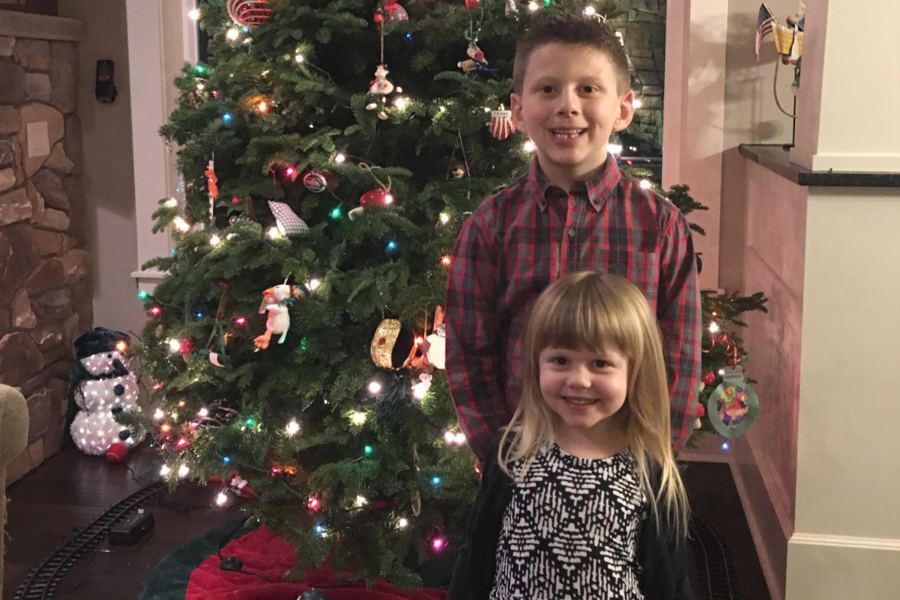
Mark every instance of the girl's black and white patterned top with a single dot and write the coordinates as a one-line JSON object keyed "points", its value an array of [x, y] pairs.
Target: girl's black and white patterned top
{"points": [[570, 531]]}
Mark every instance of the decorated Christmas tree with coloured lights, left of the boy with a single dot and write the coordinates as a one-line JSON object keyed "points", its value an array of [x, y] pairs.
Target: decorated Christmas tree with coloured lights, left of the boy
{"points": [[330, 152]]}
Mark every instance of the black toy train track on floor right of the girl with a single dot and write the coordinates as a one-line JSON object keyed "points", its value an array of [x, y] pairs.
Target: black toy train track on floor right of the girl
{"points": [[715, 569]]}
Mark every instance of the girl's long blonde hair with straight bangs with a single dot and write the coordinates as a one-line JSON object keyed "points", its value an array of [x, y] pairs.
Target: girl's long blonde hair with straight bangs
{"points": [[594, 311]]}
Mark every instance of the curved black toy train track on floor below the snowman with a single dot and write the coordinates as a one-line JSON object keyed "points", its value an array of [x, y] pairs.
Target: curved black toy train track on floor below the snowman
{"points": [[42, 581]]}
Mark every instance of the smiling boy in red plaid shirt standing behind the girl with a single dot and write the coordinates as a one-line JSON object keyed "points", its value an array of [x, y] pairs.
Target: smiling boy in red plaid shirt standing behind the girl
{"points": [[574, 210]]}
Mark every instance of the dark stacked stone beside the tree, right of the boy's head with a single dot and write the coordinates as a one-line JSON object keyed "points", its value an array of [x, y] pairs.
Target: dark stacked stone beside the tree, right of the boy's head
{"points": [[643, 28]]}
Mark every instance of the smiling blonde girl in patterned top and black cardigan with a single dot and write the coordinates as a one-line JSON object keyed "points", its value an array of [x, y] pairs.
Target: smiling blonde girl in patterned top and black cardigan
{"points": [[580, 496]]}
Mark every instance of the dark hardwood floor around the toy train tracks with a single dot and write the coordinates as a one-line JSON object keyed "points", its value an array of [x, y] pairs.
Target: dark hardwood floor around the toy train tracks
{"points": [[68, 491]]}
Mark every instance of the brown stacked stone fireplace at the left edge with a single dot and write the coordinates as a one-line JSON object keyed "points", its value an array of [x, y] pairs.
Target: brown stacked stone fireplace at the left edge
{"points": [[45, 295]]}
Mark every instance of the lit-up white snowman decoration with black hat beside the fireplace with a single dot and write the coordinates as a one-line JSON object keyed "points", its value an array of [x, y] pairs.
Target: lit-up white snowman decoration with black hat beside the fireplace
{"points": [[101, 387]]}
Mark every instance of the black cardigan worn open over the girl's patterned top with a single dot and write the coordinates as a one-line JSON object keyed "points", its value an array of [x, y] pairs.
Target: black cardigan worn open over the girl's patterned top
{"points": [[662, 556]]}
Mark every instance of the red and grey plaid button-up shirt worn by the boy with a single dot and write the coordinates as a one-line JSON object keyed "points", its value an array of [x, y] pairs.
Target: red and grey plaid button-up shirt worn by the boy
{"points": [[530, 234]]}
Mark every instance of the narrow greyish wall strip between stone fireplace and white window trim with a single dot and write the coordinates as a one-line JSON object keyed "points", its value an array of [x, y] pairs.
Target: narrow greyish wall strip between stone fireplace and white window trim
{"points": [[108, 165]]}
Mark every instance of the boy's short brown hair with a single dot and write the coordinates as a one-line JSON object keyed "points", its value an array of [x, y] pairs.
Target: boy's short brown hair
{"points": [[574, 30]]}
